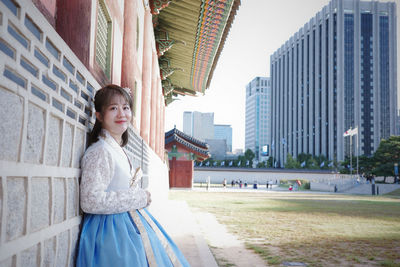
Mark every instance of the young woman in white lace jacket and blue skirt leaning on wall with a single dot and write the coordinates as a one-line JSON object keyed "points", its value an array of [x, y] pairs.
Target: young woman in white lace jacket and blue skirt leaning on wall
{"points": [[117, 229]]}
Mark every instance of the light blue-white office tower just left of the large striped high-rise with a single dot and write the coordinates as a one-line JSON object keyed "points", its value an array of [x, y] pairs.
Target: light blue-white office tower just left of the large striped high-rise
{"points": [[258, 116]]}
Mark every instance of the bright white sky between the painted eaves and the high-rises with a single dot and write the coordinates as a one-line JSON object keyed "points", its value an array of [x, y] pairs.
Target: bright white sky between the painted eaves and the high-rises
{"points": [[259, 29]]}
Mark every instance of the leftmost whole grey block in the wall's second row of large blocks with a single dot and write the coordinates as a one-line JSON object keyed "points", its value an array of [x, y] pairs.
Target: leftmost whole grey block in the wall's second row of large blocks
{"points": [[16, 207]]}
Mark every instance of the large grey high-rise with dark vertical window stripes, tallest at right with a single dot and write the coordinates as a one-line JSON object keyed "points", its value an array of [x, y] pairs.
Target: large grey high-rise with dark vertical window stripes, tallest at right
{"points": [[338, 71]]}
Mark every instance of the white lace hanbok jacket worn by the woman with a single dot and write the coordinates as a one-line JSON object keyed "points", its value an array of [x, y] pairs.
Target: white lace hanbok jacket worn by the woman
{"points": [[106, 177]]}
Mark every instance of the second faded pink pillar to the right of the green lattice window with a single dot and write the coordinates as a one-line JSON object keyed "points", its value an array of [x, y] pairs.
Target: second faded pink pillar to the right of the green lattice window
{"points": [[146, 77]]}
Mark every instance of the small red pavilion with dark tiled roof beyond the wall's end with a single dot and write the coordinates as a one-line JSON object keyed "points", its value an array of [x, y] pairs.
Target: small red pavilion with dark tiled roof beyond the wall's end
{"points": [[183, 150]]}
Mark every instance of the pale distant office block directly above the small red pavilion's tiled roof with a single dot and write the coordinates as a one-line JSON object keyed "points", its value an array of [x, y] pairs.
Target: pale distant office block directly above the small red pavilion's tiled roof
{"points": [[199, 125]]}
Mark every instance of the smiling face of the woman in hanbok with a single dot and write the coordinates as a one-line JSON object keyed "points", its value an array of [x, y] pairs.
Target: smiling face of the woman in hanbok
{"points": [[116, 117]]}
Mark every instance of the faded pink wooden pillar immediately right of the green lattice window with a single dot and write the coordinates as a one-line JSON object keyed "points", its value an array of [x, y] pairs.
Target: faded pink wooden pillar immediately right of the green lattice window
{"points": [[129, 50]]}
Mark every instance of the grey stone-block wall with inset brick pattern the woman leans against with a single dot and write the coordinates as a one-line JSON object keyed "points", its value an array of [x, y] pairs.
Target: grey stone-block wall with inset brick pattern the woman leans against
{"points": [[46, 112]]}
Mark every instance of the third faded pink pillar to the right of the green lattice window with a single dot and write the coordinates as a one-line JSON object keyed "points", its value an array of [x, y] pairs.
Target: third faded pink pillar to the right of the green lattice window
{"points": [[153, 102]]}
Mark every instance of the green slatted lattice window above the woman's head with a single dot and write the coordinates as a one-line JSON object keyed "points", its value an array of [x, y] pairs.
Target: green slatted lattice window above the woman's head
{"points": [[103, 38]]}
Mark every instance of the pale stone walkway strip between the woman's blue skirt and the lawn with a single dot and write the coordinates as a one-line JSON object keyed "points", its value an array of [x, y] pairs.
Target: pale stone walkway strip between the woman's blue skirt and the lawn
{"points": [[179, 222]]}
